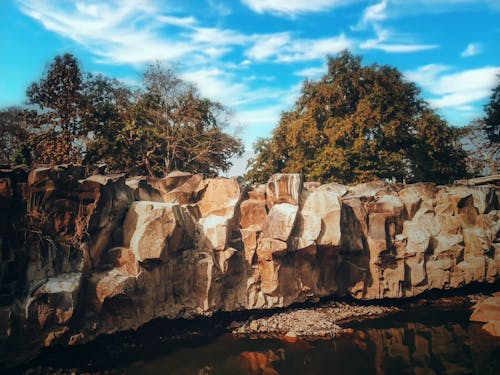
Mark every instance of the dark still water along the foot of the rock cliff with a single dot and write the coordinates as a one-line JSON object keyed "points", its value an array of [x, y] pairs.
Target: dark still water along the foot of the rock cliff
{"points": [[432, 342]]}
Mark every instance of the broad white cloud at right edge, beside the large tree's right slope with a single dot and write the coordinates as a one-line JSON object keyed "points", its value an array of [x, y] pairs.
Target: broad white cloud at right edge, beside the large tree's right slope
{"points": [[458, 90]]}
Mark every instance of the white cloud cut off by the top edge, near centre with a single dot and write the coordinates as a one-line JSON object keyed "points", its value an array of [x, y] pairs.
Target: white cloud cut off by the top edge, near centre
{"points": [[292, 7]]}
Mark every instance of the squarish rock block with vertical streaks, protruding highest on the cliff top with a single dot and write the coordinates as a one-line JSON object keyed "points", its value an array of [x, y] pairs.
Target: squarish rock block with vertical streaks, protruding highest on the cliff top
{"points": [[284, 188]]}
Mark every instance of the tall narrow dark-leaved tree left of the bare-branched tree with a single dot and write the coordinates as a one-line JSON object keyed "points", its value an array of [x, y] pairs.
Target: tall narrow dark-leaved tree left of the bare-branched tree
{"points": [[57, 105]]}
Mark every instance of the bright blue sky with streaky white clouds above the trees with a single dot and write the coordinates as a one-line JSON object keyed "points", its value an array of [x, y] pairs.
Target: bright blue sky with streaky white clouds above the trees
{"points": [[253, 55]]}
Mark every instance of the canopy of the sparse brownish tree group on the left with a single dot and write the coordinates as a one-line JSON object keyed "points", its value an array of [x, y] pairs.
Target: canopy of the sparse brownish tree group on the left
{"points": [[164, 124]]}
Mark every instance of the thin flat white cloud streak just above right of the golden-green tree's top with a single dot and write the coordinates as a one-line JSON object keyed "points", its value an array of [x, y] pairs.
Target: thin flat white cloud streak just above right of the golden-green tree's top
{"points": [[393, 43]]}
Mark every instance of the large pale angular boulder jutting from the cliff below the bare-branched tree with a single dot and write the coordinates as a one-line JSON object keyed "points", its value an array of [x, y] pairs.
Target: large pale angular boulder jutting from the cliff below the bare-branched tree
{"points": [[154, 230]]}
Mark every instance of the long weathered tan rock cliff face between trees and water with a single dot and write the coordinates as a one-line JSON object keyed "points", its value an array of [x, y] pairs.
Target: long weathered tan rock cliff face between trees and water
{"points": [[105, 254]]}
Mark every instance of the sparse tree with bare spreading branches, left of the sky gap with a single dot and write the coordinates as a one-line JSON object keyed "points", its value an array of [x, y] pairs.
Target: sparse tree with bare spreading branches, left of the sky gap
{"points": [[163, 127]]}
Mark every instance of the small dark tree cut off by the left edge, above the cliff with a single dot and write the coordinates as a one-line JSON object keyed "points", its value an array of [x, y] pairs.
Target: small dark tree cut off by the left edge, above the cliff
{"points": [[14, 132]]}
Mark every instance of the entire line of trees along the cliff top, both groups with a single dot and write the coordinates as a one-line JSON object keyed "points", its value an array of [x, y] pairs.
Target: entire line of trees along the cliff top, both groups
{"points": [[356, 123]]}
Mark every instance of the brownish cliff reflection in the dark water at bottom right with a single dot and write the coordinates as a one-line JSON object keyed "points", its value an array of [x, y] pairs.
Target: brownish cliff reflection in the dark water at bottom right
{"points": [[416, 348]]}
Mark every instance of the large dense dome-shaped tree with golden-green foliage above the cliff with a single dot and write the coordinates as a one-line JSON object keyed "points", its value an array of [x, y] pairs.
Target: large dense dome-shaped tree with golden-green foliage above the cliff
{"points": [[358, 123]]}
